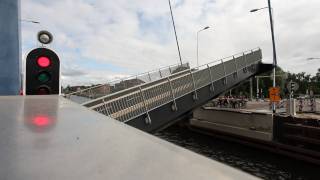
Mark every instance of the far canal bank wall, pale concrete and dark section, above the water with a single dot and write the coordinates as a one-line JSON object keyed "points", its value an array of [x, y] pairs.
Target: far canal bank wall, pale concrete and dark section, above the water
{"points": [[293, 136]]}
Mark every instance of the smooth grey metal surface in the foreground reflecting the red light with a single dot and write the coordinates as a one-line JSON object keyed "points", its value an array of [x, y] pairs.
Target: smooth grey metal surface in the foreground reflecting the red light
{"points": [[50, 137]]}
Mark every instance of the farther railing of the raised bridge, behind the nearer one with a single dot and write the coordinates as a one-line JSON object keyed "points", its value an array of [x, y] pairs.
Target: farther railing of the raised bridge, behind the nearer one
{"points": [[114, 86]]}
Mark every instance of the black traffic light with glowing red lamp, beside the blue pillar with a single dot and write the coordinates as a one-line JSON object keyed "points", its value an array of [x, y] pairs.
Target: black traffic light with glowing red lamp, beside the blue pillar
{"points": [[42, 72]]}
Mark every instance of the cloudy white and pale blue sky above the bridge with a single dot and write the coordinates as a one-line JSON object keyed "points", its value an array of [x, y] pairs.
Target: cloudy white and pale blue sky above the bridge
{"points": [[98, 40]]}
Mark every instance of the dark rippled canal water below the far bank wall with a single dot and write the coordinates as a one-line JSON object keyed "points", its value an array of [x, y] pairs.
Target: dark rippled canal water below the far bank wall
{"points": [[259, 163]]}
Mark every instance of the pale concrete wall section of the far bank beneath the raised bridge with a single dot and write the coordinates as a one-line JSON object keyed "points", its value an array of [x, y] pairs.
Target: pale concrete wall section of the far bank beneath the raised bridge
{"points": [[251, 124]]}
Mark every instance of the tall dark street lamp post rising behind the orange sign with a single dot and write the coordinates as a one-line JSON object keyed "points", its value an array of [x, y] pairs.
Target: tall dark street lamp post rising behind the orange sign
{"points": [[273, 46]]}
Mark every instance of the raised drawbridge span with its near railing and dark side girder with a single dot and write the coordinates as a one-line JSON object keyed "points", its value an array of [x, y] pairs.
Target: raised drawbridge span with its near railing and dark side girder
{"points": [[156, 104]]}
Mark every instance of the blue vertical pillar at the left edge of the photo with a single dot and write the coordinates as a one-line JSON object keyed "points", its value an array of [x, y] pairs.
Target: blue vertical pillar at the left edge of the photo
{"points": [[10, 59]]}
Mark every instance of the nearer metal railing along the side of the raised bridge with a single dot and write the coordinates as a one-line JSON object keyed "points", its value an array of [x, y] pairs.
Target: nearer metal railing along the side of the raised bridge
{"points": [[134, 102]]}
